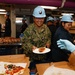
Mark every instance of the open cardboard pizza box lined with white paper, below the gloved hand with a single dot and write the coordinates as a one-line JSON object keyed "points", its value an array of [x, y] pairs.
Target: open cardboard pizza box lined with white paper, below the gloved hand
{"points": [[58, 68]]}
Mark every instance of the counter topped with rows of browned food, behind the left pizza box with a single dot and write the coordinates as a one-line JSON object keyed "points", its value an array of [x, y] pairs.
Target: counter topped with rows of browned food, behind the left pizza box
{"points": [[10, 45]]}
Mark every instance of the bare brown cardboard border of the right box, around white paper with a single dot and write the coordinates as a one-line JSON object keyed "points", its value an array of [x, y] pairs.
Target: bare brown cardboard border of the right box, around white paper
{"points": [[42, 67]]}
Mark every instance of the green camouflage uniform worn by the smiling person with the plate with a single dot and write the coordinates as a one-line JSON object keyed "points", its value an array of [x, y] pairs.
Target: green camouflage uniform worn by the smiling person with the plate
{"points": [[36, 37]]}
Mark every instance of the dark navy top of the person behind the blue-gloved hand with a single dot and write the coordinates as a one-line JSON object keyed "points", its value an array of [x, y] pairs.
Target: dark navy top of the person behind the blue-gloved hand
{"points": [[57, 53]]}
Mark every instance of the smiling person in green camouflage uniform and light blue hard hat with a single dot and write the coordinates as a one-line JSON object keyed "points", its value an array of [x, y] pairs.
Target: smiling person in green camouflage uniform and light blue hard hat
{"points": [[37, 35]]}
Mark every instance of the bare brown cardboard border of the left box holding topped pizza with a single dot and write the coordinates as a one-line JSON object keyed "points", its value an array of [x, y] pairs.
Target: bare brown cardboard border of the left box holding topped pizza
{"points": [[20, 58]]}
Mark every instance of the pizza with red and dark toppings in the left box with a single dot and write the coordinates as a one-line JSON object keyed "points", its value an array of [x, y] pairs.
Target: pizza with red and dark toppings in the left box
{"points": [[13, 69]]}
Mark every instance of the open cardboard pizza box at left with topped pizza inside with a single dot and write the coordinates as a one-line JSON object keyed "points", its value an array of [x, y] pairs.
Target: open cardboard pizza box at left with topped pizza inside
{"points": [[20, 63]]}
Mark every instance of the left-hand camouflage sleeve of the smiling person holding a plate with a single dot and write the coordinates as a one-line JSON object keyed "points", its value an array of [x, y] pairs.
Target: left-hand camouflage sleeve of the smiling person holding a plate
{"points": [[26, 40]]}
